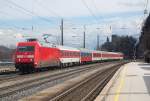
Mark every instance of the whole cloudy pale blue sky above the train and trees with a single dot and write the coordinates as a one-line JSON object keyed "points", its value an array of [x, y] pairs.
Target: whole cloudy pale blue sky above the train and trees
{"points": [[18, 16]]}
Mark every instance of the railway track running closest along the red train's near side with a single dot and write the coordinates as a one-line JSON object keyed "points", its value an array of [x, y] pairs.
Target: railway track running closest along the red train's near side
{"points": [[14, 76]]}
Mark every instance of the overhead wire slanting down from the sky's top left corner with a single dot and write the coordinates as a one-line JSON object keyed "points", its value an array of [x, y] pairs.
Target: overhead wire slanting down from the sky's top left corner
{"points": [[30, 12]]}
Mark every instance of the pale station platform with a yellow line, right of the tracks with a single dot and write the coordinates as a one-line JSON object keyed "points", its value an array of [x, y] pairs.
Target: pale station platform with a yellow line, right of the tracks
{"points": [[132, 83]]}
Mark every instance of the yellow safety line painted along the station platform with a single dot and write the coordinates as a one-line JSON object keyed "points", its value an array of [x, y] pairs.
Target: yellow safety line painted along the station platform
{"points": [[116, 98]]}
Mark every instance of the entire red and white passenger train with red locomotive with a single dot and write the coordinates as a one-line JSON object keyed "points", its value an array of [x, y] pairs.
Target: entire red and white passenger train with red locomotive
{"points": [[32, 55]]}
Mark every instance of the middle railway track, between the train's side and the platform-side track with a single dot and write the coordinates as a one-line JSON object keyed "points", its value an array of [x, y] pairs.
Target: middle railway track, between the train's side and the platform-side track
{"points": [[22, 86]]}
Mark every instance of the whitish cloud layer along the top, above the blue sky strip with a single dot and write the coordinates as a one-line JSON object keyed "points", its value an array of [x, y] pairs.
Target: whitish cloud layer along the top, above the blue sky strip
{"points": [[64, 8]]}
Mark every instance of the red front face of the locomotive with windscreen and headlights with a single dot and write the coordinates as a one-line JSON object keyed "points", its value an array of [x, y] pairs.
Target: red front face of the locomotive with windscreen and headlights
{"points": [[25, 56]]}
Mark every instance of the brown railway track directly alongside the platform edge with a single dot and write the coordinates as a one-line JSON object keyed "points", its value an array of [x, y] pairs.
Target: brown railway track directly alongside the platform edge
{"points": [[88, 89]]}
